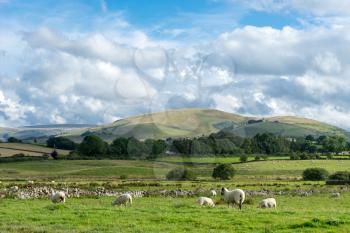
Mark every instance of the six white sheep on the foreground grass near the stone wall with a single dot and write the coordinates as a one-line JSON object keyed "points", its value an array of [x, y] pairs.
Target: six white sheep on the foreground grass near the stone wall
{"points": [[232, 197]]}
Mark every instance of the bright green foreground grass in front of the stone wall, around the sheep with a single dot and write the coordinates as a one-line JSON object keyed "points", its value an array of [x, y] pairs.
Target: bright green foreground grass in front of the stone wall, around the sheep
{"points": [[293, 214]]}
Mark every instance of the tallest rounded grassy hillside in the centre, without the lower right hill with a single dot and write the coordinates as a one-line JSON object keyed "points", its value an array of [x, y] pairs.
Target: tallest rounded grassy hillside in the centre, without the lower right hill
{"points": [[175, 123]]}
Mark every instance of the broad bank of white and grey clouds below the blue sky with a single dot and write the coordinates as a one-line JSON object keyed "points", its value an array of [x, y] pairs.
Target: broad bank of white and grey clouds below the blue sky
{"points": [[98, 77]]}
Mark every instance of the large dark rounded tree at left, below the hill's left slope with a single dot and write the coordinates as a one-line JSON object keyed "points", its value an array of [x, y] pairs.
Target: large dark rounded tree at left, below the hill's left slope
{"points": [[92, 146]]}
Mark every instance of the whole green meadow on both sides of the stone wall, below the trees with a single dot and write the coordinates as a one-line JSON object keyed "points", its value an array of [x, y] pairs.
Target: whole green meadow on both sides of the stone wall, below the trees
{"points": [[294, 213]]}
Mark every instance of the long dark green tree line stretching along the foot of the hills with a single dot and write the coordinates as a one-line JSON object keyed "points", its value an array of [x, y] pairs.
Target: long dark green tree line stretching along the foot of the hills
{"points": [[221, 143]]}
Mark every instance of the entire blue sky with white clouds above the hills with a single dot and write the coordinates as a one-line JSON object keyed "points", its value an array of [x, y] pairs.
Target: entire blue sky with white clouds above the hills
{"points": [[96, 61]]}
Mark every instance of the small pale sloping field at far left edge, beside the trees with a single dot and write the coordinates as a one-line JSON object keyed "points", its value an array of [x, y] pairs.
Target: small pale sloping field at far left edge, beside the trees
{"points": [[9, 149]]}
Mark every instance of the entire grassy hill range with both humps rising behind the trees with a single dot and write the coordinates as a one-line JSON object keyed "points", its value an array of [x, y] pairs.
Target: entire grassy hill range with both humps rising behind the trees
{"points": [[197, 122]]}
